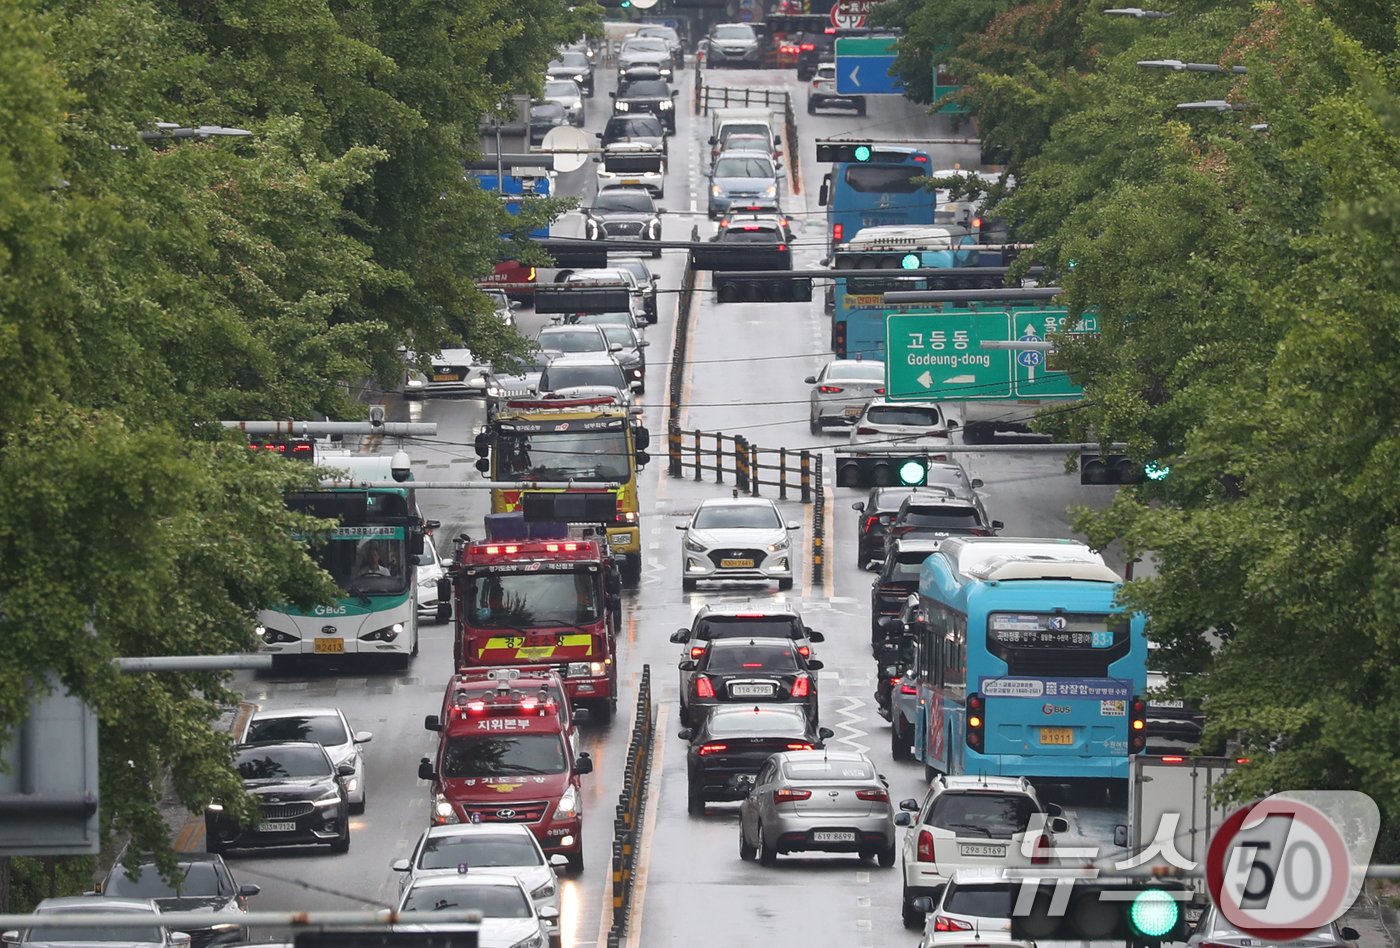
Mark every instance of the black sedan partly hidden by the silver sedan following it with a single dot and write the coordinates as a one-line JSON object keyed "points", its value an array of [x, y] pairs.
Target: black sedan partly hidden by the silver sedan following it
{"points": [[733, 743]]}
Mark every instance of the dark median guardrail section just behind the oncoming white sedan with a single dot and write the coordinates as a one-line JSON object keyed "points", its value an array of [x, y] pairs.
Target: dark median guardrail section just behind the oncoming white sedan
{"points": [[748, 466]]}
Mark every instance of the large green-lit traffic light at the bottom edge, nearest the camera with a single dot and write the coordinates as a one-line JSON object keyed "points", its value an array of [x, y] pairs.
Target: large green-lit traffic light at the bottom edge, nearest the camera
{"points": [[1143, 914]]}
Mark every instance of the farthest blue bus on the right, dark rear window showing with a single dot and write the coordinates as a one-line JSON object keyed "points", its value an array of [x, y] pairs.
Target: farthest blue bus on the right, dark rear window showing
{"points": [[884, 190]]}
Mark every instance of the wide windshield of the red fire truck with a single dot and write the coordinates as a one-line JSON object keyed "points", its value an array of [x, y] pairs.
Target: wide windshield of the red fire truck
{"points": [[533, 600]]}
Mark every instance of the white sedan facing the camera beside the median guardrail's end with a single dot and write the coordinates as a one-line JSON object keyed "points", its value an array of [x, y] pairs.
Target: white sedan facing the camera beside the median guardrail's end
{"points": [[741, 538]]}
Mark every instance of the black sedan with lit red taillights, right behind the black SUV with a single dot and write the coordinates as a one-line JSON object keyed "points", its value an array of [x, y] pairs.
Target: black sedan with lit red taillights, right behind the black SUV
{"points": [[747, 671]]}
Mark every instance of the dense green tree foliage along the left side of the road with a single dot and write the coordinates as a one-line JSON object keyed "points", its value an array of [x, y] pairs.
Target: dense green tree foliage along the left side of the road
{"points": [[148, 291]]}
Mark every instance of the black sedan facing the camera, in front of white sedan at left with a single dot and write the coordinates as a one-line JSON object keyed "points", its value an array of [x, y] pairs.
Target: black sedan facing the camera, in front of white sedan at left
{"points": [[300, 796]]}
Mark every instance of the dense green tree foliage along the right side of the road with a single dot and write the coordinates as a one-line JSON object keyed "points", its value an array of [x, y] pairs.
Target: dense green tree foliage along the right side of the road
{"points": [[1249, 316]]}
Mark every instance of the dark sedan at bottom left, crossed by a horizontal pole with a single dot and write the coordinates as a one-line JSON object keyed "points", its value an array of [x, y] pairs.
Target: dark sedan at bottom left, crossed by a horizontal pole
{"points": [[202, 884]]}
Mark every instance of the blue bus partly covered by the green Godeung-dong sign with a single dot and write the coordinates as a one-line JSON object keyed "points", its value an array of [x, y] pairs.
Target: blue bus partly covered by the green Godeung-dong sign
{"points": [[880, 256]]}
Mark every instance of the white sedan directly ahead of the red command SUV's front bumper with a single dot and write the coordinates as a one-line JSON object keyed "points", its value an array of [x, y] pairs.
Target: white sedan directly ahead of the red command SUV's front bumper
{"points": [[500, 848]]}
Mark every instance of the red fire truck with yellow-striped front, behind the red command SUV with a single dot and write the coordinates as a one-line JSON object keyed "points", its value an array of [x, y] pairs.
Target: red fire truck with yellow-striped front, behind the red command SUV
{"points": [[551, 603]]}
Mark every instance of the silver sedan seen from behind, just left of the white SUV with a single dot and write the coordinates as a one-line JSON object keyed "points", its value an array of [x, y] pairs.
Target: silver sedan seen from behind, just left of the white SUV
{"points": [[818, 802]]}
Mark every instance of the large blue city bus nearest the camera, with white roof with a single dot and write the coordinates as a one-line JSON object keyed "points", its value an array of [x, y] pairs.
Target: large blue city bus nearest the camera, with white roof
{"points": [[1025, 664]]}
